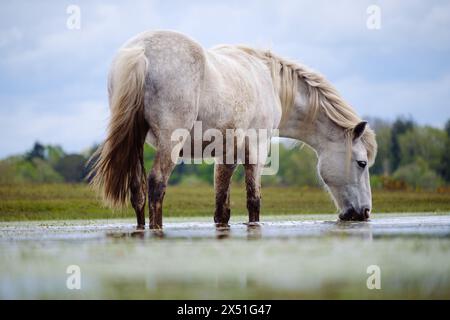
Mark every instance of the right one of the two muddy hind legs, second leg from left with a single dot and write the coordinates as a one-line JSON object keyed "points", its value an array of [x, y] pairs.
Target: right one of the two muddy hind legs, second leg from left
{"points": [[157, 182]]}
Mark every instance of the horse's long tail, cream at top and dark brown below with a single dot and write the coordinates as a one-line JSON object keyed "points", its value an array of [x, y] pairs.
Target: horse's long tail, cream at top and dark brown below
{"points": [[117, 161]]}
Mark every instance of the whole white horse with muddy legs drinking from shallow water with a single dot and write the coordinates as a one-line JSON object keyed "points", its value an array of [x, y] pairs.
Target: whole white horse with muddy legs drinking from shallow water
{"points": [[162, 81]]}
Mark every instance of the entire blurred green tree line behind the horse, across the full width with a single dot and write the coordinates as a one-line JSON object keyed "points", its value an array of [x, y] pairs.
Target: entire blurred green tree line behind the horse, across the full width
{"points": [[410, 156]]}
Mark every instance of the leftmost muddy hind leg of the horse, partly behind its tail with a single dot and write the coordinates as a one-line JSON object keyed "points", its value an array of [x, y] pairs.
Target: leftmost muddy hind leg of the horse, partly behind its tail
{"points": [[138, 195]]}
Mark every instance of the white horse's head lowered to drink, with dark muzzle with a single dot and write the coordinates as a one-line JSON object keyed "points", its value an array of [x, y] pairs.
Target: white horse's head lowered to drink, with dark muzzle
{"points": [[346, 174]]}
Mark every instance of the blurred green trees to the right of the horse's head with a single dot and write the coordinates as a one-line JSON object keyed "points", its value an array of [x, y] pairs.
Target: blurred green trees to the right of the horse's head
{"points": [[411, 156]]}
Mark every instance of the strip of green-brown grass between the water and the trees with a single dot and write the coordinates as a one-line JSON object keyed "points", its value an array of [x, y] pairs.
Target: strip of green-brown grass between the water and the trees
{"points": [[78, 201]]}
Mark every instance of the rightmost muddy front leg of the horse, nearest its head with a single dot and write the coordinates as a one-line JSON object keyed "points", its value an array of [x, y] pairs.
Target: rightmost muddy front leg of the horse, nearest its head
{"points": [[253, 186]]}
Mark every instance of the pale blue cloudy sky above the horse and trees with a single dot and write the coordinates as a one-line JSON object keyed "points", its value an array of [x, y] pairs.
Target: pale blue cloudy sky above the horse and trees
{"points": [[53, 78]]}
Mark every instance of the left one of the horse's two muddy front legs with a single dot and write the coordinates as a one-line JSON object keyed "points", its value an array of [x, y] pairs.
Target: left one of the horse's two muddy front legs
{"points": [[222, 178]]}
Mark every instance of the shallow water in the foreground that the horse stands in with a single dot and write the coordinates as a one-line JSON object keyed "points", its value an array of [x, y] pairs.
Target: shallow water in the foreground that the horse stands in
{"points": [[300, 256]]}
